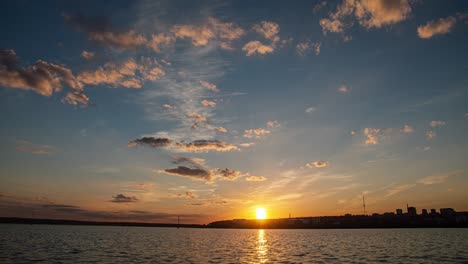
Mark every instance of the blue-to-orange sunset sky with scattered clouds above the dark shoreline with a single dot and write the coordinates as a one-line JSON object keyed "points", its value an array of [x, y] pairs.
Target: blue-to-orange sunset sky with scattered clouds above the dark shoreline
{"points": [[208, 110]]}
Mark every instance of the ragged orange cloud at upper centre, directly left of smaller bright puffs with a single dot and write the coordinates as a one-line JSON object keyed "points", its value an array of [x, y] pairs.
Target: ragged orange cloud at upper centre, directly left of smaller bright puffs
{"points": [[225, 33]]}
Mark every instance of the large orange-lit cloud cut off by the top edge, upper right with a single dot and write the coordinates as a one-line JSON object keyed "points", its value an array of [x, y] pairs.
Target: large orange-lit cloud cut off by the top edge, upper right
{"points": [[369, 14]]}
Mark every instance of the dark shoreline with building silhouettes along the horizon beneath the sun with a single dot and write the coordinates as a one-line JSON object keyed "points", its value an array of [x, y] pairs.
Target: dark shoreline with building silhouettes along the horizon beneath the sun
{"points": [[445, 219]]}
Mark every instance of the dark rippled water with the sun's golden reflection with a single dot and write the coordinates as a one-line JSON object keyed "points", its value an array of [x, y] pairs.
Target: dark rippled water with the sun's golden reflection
{"points": [[85, 244]]}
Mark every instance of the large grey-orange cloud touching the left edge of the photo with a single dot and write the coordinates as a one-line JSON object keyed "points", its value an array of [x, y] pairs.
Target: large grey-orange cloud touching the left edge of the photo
{"points": [[43, 78]]}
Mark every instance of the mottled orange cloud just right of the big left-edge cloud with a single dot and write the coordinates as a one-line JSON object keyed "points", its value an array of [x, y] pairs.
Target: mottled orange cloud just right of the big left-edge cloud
{"points": [[129, 73]]}
